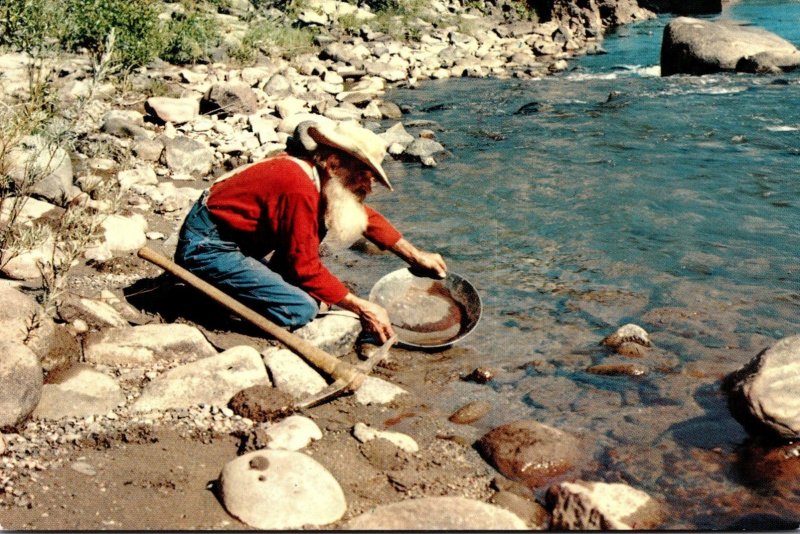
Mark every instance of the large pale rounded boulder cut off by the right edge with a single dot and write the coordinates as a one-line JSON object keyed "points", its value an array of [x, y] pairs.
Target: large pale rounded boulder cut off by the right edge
{"points": [[764, 395]]}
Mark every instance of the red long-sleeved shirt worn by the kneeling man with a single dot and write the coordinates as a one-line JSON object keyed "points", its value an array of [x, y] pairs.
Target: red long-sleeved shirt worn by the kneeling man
{"points": [[274, 206]]}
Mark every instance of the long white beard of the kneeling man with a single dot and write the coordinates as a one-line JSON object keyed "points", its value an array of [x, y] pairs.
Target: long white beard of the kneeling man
{"points": [[345, 217]]}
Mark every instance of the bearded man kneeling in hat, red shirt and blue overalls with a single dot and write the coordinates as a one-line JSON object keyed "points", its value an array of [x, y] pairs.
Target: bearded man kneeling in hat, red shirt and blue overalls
{"points": [[286, 205]]}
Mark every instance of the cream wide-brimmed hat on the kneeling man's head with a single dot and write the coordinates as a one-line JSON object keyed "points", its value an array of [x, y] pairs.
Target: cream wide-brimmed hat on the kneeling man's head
{"points": [[348, 137]]}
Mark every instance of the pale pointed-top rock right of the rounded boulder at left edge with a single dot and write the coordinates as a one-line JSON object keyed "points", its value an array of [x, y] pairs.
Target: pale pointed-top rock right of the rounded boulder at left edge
{"points": [[79, 392]]}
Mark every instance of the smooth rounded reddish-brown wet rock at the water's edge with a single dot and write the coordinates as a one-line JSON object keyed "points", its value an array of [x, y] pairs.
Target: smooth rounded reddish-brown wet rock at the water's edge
{"points": [[530, 451]]}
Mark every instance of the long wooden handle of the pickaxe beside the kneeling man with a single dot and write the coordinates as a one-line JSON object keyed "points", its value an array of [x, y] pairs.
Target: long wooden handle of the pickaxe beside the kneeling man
{"points": [[334, 367]]}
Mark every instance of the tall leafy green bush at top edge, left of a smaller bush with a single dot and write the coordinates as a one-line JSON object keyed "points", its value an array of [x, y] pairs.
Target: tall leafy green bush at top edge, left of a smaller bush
{"points": [[138, 31]]}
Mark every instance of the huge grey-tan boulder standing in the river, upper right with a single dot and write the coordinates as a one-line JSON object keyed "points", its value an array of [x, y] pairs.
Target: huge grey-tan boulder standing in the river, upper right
{"points": [[694, 46]]}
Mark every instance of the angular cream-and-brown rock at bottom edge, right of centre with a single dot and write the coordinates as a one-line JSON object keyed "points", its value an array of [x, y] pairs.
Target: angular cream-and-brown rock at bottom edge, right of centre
{"points": [[599, 506]]}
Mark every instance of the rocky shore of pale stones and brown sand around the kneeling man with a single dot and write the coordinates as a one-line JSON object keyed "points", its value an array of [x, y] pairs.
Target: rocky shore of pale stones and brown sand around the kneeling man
{"points": [[134, 405]]}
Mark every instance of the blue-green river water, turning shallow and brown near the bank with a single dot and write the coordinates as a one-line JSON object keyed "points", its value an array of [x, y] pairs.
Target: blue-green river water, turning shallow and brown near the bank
{"points": [[607, 195]]}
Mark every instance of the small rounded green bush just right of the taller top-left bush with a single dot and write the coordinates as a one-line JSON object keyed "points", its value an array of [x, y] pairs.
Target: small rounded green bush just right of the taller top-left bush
{"points": [[190, 37]]}
